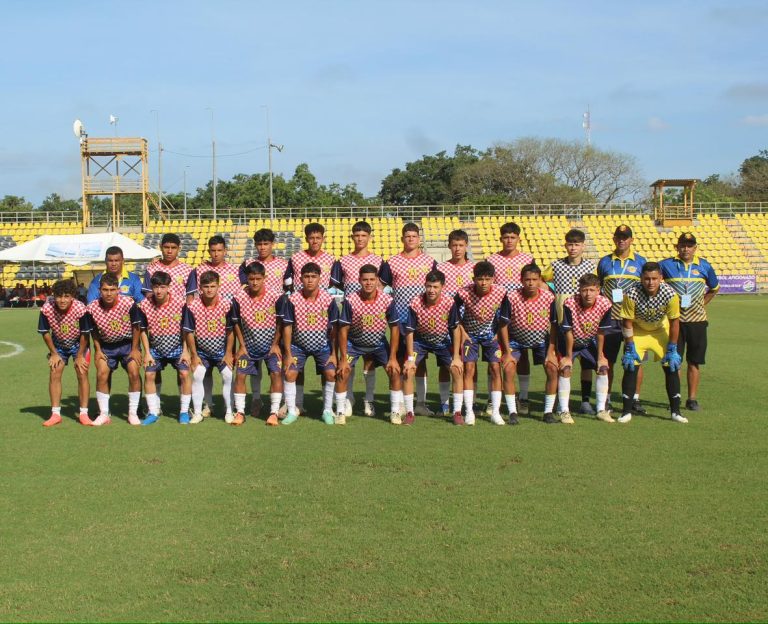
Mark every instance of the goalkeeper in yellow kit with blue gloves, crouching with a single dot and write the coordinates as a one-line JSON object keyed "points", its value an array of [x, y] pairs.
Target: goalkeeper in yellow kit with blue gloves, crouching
{"points": [[651, 323]]}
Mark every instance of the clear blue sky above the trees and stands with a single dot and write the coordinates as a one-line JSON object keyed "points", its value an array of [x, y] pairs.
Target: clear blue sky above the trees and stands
{"points": [[356, 88]]}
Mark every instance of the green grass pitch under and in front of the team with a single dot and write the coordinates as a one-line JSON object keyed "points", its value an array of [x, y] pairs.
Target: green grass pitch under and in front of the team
{"points": [[646, 521]]}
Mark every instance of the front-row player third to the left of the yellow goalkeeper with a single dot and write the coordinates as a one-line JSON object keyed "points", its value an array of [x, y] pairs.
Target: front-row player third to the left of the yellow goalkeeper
{"points": [[480, 302]]}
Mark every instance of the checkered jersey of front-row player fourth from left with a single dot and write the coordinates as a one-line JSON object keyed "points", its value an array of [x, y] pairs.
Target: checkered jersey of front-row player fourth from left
{"points": [[210, 324]]}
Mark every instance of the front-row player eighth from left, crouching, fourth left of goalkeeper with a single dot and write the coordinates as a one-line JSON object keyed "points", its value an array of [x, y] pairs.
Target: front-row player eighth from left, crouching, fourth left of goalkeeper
{"points": [[431, 326]]}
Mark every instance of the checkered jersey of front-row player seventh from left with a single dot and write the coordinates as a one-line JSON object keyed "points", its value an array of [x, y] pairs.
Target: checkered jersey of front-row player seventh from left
{"points": [[368, 320]]}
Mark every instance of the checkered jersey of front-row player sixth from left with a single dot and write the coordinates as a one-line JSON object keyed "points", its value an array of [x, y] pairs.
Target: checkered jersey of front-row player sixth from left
{"points": [[311, 320]]}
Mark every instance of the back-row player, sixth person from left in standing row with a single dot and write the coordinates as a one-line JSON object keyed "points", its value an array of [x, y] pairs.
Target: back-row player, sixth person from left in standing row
{"points": [[345, 275]]}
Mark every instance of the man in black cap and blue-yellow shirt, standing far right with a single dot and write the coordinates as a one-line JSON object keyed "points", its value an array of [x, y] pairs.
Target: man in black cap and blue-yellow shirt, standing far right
{"points": [[695, 282]]}
